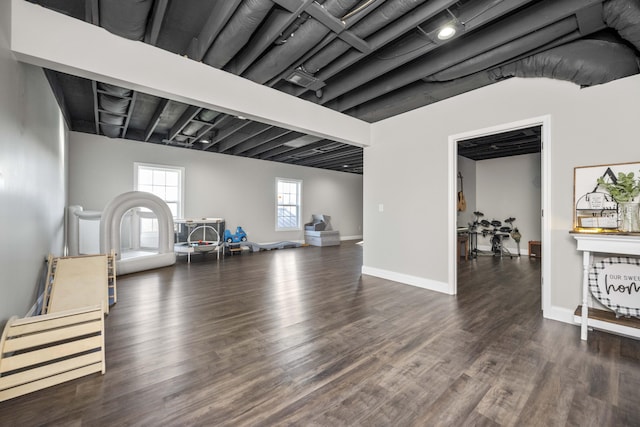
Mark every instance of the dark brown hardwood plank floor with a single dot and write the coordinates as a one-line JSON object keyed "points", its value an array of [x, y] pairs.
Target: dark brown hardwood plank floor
{"points": [[299, 337]]}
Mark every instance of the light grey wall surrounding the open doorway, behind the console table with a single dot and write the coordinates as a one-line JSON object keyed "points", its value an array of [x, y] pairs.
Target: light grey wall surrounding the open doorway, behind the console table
{"points": [[588, 126]]}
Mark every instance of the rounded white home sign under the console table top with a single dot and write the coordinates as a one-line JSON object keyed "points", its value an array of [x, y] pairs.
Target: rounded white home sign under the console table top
{"points": [[615, 282]]}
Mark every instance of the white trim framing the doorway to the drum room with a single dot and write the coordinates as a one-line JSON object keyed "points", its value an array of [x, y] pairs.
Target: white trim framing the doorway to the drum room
{"points": [[545, 122]]}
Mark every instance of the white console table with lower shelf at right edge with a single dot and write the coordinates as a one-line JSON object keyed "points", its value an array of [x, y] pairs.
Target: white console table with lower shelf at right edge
{"points": [[606, 243]]}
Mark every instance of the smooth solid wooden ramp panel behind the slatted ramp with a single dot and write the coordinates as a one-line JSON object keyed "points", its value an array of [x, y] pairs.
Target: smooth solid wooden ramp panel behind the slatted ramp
{"points": [[80, 281]]}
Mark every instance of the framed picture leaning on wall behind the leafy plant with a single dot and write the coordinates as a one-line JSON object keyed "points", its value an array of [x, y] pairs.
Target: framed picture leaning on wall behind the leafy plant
{"points": [[594, 208]]}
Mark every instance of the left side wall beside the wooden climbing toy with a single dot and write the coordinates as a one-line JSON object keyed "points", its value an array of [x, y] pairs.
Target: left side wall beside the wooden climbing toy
{"points": [[32, 178]]}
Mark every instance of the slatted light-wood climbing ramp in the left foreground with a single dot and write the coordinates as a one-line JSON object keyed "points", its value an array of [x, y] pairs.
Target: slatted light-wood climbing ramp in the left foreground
{"points": [[42, 351]]}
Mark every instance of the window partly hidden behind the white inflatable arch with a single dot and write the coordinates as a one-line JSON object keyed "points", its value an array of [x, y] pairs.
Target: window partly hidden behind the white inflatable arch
{"points": [[166, 183]]}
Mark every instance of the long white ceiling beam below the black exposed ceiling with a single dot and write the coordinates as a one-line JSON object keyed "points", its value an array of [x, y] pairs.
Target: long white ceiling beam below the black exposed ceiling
{"points": [[52, 40]]}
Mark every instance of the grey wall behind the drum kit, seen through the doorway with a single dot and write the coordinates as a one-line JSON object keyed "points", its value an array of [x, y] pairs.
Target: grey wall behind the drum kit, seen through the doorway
{"points": [[510, 187]]}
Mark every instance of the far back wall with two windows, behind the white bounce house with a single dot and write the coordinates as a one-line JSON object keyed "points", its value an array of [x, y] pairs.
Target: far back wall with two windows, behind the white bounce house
{"points": [[240, 190]]}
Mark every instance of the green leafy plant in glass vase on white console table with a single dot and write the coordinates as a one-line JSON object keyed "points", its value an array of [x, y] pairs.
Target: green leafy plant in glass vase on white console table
{"points": [[625, 190]]}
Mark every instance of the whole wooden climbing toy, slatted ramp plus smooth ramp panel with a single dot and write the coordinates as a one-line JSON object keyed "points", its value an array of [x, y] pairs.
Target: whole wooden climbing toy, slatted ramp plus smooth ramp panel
{"points": [[66, 341]]}
